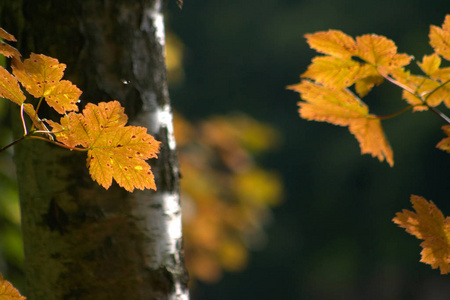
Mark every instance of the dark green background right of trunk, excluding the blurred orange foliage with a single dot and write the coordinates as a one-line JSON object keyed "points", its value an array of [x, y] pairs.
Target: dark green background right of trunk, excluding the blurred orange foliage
{"points": [[333, 237]]}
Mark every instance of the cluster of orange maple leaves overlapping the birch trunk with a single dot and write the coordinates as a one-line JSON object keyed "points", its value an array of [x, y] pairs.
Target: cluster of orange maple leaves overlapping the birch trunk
{"points": [[115, 150]]}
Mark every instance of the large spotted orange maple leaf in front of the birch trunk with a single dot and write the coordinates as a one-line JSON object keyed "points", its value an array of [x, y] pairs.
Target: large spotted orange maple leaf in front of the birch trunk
{"points": [[115, 151]]}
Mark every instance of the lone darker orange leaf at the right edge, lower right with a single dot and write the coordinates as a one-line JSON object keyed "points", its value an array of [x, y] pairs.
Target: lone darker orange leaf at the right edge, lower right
{"points": [[428, 224]]}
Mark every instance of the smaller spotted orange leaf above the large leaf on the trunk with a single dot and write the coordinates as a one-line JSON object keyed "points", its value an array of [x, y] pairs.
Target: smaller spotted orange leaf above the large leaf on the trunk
{"points": [[41, 76]]}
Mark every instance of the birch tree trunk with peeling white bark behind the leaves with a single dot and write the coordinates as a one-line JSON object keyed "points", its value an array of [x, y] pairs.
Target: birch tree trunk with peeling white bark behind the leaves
{"points": [[81, 241]]}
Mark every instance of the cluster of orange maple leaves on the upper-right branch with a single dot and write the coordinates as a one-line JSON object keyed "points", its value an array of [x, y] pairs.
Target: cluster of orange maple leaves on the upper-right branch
{"points": [[334, 83]]}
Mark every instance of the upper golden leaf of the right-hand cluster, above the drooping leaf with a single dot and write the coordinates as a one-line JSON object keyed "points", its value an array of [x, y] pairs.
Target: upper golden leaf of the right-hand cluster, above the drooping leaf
{"points": [[363, 62]]}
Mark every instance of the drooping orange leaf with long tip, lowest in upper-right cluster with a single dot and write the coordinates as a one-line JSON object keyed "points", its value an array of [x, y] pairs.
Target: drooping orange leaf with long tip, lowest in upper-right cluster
{"points": [[341, 107]]}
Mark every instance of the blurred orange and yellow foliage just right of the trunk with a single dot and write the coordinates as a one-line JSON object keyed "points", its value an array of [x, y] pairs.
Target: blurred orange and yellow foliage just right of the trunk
{"points": [[226, 196]]}
